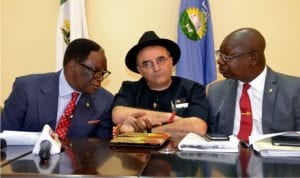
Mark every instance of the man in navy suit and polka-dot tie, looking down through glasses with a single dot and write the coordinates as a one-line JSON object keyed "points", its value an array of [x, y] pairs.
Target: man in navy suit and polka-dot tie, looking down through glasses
{"points": [[41, 99]]}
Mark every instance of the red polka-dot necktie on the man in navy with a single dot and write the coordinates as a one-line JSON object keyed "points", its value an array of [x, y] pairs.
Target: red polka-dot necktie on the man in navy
{"points": [[65, 119]]}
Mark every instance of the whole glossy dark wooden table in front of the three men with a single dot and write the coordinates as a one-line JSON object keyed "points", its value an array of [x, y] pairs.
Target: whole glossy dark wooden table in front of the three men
{"points": [[91, 157]]}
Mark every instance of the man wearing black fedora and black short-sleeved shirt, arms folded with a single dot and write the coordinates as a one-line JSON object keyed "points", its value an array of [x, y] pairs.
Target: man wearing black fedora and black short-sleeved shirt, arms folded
{"points": [[159, 102]]}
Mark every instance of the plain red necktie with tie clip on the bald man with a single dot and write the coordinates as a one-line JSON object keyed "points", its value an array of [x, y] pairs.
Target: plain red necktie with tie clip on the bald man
{"points": [[246, 115]]}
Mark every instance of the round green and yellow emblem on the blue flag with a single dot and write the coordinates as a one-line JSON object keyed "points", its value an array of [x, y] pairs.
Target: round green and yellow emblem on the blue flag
{"points": [[193, 23]]}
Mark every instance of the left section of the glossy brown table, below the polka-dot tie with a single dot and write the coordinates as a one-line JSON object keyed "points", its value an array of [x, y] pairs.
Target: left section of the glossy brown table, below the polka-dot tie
{"points": [[89, 156]]}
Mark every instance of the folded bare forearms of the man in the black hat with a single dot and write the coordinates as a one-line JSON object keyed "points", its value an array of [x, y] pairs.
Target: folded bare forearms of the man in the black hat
{"points": [[136, 120]]}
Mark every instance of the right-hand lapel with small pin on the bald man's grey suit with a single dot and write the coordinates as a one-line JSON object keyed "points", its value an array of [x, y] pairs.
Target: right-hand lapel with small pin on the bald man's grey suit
{"points": [[270, 91]]}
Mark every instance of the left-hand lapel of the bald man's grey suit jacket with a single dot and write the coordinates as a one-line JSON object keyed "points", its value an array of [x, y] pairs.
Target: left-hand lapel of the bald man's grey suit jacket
{"points": [[228, 106]]}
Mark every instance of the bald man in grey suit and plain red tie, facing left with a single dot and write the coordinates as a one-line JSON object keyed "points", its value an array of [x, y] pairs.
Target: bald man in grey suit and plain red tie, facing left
{"points": [[275, 97]]}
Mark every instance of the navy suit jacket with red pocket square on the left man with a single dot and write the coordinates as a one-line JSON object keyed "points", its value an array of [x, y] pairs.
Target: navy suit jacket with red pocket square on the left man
{"points": [[33, 103]]}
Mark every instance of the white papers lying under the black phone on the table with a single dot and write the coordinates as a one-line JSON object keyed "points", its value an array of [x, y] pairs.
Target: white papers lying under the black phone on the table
{"points": [[194, 142]]}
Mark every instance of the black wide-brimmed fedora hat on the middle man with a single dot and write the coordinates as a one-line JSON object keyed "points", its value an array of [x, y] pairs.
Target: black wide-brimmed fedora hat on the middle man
{"points": [[149, 38]]}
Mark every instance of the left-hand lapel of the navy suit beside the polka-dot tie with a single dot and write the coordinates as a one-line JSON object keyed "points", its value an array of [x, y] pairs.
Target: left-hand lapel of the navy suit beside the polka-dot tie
{"points": [[48, 100]]}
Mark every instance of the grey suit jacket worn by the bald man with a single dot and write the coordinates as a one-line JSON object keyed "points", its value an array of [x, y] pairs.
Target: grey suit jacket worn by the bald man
{"points": [[281, 104]]}
